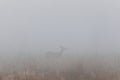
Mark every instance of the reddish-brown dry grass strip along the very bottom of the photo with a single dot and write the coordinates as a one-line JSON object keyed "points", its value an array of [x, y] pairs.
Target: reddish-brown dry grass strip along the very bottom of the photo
{"points": [[99, 74]]}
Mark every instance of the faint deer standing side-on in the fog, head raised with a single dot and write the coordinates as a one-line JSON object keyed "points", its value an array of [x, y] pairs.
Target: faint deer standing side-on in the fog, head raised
{"points": [[51, 54]]}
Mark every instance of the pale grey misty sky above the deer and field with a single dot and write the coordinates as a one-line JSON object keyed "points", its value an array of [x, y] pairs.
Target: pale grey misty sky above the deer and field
{"points": [[80, 25]]}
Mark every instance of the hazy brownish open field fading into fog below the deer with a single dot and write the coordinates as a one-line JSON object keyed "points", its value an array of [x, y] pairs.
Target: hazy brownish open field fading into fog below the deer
{"points": [[61, 69]]}
